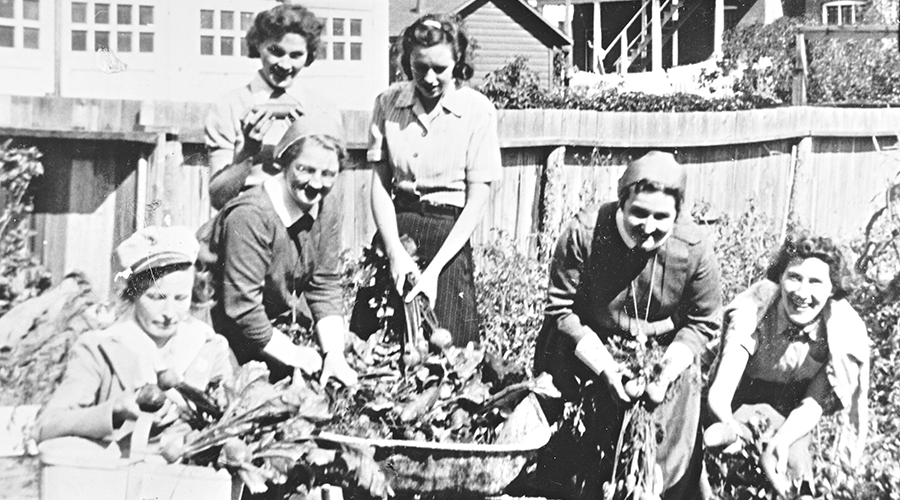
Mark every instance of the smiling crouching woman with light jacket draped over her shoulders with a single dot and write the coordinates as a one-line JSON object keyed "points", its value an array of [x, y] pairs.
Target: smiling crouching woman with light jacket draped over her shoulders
{"points": [[793, 351]]}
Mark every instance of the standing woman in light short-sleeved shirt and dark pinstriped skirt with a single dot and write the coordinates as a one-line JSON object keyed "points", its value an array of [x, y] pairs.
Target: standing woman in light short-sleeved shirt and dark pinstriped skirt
{"points": [[434, 151]]}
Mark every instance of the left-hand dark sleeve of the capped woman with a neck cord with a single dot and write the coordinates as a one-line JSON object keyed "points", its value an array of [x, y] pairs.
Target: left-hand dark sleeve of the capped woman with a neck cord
{"points": [[565, 278]]}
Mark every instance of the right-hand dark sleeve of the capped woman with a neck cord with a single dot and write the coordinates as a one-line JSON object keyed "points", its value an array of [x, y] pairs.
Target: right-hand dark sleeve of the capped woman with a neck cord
{"points": [[701, 303]]}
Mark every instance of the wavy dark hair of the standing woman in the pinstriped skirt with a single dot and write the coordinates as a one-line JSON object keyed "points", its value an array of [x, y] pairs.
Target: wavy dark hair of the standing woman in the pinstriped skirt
{"points": [[431, 30]]}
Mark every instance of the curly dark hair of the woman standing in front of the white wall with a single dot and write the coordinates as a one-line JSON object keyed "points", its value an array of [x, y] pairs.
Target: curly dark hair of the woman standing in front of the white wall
{"points": [[280, 20]]}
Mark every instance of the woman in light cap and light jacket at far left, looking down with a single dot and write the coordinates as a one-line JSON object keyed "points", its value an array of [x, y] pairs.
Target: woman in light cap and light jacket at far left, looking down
{"points": [[155, 334]]}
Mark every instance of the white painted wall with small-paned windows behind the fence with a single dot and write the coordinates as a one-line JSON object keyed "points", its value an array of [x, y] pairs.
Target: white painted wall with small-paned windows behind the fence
{"points": [[175, 70]]}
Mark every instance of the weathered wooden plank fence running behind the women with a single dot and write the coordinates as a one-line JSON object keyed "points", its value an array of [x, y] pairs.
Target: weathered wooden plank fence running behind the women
{"points": [[116, 165]]}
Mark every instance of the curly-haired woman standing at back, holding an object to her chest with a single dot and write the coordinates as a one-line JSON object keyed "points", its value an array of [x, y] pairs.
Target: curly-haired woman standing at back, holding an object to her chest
{"points": [[244, 126]]}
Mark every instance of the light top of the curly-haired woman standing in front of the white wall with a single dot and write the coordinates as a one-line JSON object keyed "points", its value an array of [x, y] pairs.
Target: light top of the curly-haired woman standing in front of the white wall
{"points": [[224, 134]]}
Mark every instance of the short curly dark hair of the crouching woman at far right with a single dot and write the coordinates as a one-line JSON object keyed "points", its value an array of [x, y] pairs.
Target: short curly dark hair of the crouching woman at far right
{"points": [[805, 246]]}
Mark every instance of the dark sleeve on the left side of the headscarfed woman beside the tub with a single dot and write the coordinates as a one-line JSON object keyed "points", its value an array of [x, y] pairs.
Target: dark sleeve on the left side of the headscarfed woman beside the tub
{"points": [[246, 257]]}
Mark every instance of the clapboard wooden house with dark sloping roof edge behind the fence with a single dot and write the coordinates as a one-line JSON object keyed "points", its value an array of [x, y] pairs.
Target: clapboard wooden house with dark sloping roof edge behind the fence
{"points": [[500, 30]]}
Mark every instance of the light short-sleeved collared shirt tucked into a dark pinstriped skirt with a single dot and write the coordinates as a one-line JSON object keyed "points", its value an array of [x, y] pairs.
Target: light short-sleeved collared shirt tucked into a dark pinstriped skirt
{"points": [[434, 155]]}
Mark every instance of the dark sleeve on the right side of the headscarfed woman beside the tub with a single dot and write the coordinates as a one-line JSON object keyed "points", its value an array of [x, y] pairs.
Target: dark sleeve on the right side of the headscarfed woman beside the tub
{"points": [[323, 292]]}
